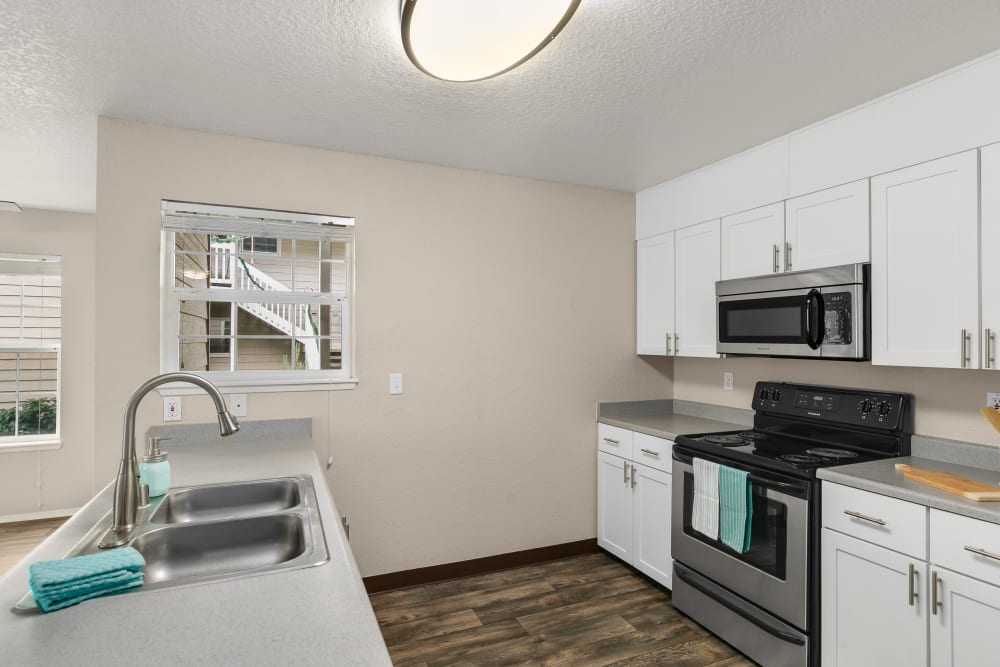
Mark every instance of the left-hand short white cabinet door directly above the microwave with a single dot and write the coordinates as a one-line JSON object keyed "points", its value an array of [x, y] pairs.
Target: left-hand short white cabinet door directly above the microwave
{"points": [[753, 242]]}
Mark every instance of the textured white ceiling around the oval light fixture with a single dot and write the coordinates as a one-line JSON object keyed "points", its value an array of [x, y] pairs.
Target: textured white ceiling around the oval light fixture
{"points": [[632, 92]]}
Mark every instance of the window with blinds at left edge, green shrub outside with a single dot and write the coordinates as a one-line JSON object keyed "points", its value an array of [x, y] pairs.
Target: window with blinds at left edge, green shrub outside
{"points": [[30, 344]]}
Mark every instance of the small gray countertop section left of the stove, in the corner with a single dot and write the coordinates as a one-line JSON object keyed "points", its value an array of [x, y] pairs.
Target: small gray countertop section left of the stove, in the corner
{"points": [[668, 418]]}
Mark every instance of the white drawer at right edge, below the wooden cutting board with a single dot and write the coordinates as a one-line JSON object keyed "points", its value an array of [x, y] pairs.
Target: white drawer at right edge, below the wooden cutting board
{"points": [[955, 535]]}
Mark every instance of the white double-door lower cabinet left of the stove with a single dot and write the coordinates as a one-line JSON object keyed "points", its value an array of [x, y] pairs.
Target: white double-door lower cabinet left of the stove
{"points": [[633, 507]]}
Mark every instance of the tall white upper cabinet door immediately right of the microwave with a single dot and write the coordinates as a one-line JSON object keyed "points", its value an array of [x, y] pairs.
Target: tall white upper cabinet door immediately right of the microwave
{"points": [[925, 269]]}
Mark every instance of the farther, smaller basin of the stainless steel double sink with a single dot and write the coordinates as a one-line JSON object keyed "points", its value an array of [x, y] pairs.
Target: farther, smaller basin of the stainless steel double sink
{"points": [[219, 501]]}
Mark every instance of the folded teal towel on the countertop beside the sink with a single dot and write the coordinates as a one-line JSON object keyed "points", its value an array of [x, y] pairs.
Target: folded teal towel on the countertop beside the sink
{"points": [[62, 583]]}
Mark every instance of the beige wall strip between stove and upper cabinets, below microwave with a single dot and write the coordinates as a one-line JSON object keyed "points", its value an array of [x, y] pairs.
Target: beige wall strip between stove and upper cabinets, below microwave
{"points": [[947, 401]]}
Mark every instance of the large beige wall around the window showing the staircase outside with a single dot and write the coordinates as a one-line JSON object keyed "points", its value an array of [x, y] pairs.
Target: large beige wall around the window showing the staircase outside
{"points": [[507, 303]]}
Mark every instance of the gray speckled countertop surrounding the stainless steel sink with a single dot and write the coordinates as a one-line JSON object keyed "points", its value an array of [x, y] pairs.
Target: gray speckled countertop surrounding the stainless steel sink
{"points": [[314, 616]]}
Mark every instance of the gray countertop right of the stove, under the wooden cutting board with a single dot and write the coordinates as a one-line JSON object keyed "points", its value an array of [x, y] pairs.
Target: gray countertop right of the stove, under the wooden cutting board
{"points": [[882, 477]]}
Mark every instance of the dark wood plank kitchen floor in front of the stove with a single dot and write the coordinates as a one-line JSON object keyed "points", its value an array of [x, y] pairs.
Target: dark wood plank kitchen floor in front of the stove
{"points": [[588, 610]]}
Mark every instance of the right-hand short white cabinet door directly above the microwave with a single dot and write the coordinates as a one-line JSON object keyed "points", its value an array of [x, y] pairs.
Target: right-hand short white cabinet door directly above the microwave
{"points": [[827, 228]]}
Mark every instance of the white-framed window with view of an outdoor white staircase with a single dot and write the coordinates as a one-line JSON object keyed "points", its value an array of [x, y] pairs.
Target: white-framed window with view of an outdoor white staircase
{"points": [[263, 294]]}
